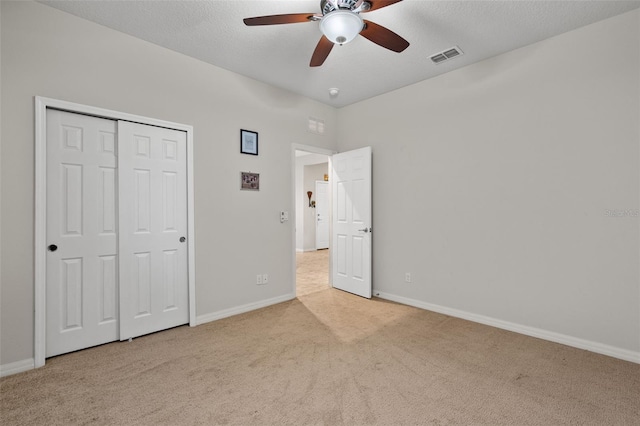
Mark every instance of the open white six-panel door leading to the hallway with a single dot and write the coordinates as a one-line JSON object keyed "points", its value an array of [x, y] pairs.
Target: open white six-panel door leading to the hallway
{"points": [[351, 220]]}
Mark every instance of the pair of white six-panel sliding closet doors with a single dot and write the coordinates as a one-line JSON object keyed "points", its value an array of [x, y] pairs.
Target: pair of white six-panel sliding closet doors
{"points": [[116, 228]]}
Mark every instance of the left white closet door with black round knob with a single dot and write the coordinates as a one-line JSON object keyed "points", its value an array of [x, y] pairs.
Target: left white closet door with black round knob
{"points": [[81, 280]]}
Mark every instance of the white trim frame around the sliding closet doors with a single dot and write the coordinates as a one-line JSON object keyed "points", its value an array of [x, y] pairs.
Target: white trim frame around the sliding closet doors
{"points": [[41, 105]]}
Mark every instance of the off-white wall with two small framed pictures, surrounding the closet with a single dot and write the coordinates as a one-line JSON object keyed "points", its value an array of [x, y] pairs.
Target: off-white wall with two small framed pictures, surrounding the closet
{"points": [[238, 233]]}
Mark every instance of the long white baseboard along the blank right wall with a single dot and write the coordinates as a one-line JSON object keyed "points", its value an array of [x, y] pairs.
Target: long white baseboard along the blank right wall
{"points": [[564, 339]]}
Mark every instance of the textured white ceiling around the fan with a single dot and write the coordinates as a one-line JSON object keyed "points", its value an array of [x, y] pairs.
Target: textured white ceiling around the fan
{"points": [[213, 31]]}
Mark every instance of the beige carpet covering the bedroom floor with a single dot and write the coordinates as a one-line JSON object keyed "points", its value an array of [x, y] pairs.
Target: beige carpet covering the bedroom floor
{"points": [[328, 358]]}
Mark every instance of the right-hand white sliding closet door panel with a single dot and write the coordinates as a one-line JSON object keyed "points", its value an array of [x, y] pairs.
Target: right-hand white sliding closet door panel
{"points": [[153, 229]]}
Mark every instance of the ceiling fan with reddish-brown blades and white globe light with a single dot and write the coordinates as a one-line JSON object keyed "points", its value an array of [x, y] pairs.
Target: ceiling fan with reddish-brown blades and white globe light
{"points": [[340, 23]]}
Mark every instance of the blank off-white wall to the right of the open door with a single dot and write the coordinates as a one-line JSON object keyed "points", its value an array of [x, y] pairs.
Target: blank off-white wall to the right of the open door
{"points": [[492, 183]]}
